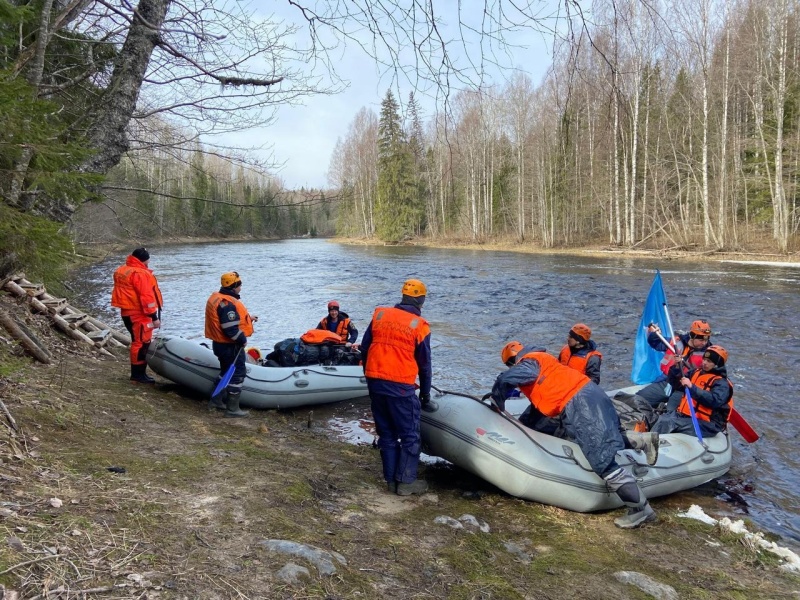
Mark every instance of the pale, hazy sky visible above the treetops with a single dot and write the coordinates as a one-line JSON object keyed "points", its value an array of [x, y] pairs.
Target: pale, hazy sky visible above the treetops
{"points": [[302, 138]]}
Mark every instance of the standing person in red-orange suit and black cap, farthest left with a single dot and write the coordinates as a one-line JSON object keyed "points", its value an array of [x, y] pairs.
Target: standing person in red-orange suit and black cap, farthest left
{"points": [[138, 297]]}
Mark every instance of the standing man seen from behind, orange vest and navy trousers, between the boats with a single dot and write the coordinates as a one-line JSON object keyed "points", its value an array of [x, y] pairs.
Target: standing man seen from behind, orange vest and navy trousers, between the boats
{"points": [[395, 349]]}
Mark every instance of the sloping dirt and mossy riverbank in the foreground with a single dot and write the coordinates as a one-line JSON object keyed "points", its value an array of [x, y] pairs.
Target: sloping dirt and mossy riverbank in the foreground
{"points": [[112, 490]]}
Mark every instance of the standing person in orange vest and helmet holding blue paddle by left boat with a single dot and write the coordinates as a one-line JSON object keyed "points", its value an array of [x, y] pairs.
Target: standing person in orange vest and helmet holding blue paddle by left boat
{"points": [[228, 323]]}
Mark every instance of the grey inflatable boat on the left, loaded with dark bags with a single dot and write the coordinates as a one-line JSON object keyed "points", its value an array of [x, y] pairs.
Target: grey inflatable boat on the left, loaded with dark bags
{"points": [[194, 365]]}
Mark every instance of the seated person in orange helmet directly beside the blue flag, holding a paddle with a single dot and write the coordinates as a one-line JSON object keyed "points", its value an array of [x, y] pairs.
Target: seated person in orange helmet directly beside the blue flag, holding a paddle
{"points": [[690, 348]]}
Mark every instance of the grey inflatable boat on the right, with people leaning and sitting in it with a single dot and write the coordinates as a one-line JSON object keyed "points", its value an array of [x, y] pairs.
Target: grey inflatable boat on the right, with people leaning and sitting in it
{"points": [[539, 467]]}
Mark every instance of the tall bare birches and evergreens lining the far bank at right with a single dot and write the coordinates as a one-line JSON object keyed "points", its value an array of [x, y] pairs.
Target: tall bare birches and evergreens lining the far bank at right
{"points": [[673, 125]]}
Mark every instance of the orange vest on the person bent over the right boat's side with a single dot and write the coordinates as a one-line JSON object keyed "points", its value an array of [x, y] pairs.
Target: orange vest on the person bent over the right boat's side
{"points": [[554, 387]]}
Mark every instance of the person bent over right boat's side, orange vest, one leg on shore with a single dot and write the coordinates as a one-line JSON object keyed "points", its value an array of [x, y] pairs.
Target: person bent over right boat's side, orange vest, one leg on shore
{"points": [[587, 415]]}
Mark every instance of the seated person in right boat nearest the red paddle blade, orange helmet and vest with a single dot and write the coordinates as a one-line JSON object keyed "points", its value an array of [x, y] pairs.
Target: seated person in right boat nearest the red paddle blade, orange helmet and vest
{"points": [[712, 397]]}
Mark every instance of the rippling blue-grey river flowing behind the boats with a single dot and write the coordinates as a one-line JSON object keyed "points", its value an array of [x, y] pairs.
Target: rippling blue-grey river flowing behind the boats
{"points": [[477, 301]]}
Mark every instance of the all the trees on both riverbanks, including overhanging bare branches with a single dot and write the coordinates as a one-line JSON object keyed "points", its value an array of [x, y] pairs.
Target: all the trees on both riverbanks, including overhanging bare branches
{"points": [[667, 125]]}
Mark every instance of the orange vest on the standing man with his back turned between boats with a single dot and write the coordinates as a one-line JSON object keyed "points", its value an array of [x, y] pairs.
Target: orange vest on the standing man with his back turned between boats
{"points": [[395, 335]]}
